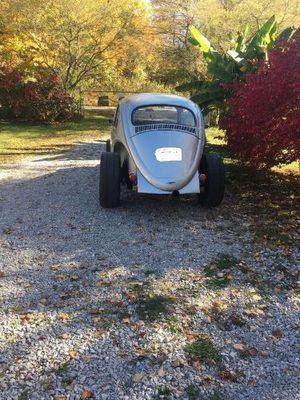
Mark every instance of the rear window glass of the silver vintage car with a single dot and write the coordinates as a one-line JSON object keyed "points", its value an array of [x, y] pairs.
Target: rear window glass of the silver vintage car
{"points": [[148, 115]]}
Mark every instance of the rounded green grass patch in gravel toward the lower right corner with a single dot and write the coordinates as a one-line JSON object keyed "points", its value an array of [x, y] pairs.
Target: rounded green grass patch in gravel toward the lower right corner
{"points": [[204, 350]]}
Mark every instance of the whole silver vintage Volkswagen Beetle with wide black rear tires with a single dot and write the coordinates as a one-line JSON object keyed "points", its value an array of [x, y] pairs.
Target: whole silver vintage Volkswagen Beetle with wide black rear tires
{"points": [[157, 146]]}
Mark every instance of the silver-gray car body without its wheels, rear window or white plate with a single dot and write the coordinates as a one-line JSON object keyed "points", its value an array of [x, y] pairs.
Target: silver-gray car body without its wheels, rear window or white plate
{"points": [[138, 145]]}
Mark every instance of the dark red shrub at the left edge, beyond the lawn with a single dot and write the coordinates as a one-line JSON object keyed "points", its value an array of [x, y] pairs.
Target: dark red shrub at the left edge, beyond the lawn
{"points": [[38, 100]]}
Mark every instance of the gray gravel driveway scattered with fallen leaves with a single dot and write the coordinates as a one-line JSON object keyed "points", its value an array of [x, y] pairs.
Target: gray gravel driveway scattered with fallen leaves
{"points": [[158, 299]]}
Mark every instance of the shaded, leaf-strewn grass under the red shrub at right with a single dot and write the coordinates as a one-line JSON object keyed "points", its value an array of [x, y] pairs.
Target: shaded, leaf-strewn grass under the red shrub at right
{"points": [[268, 201]]}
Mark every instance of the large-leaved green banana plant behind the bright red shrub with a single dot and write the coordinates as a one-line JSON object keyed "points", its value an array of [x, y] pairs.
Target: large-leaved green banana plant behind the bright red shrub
{"points": [[231, 66]]}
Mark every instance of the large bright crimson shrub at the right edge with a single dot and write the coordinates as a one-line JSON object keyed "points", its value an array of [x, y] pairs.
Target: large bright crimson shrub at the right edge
{"points": [[263, 117]]}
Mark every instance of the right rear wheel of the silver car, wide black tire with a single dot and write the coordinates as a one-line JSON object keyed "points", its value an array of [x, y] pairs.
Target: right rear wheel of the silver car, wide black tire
{"points": [[213, 189]]}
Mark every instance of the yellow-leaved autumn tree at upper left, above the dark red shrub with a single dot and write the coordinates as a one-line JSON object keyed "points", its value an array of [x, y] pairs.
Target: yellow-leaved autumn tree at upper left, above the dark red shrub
{"points": [[78, 40]]}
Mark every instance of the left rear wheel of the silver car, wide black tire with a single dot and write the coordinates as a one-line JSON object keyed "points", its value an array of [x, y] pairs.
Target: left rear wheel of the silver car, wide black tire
{"points": [[109, 187]]}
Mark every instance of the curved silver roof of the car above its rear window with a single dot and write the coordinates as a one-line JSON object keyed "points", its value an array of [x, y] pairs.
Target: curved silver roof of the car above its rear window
{"points": [[147, 99]]}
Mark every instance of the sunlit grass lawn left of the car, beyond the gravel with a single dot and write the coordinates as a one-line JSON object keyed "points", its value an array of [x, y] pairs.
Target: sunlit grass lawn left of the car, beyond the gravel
{"points": [[19, 140]]}
